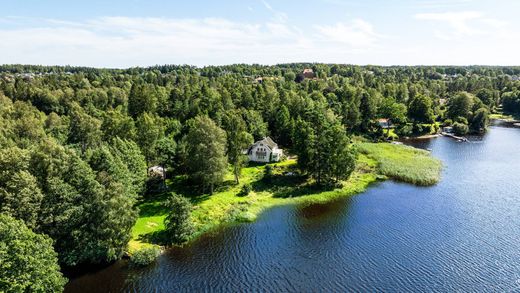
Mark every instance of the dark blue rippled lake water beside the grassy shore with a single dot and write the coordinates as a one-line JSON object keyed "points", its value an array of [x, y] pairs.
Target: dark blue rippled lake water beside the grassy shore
{"points": [[460, 235]]}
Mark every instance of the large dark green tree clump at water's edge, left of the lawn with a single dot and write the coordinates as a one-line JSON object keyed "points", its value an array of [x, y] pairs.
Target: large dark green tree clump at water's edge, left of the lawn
{"points": [[74, 195]]}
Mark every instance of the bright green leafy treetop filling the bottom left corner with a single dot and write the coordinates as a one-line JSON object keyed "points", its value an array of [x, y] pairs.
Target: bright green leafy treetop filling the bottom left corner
{"points": [[27, 261]]}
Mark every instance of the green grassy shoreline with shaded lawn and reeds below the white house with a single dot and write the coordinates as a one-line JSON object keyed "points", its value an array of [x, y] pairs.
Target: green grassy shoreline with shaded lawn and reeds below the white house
{"points": [[375, 162]]}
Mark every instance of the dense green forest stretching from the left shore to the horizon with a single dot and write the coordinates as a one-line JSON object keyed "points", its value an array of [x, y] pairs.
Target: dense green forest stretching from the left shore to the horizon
{"points": [[76, 144]]}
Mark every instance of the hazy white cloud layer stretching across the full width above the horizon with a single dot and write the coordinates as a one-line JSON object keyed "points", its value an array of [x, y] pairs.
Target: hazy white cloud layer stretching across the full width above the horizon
{"points": [[133, 41]]}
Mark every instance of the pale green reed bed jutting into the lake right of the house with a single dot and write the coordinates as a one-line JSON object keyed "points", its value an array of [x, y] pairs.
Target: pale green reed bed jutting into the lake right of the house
{"points": [[404, 163]]}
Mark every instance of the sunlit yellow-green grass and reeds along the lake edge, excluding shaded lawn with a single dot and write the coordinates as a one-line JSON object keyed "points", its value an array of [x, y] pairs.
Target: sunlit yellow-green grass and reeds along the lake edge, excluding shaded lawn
{"points": [[224, 208]]}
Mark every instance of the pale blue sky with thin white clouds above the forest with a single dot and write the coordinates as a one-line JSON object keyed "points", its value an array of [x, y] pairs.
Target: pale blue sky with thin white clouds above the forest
{"points": [[142, 33]]}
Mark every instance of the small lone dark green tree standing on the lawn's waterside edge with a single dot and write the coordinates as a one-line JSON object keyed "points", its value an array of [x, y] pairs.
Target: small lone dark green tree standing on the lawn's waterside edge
{"points": [[178, 223]]}
